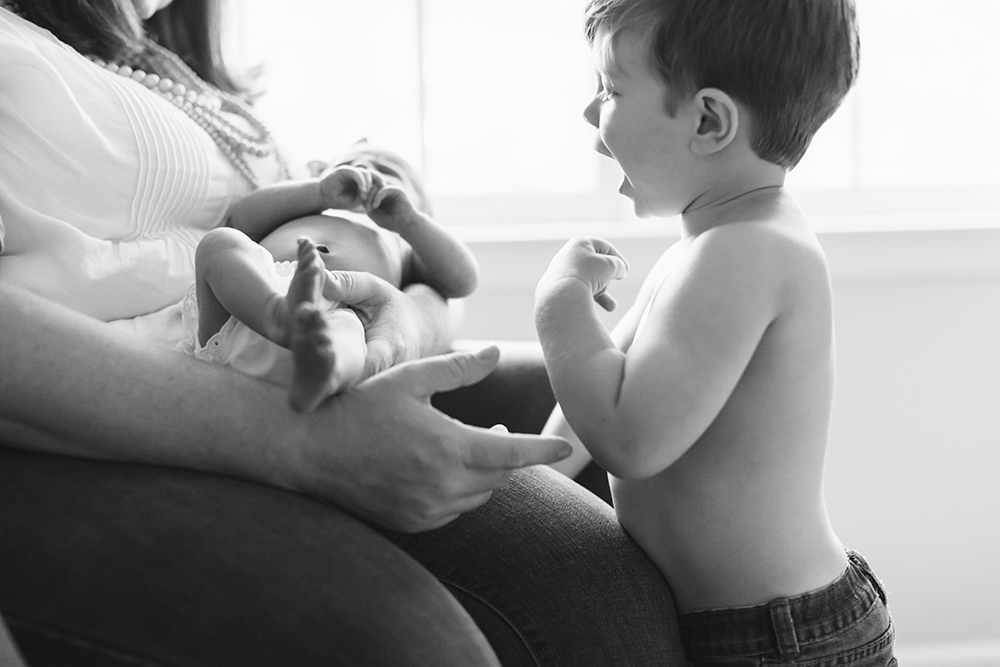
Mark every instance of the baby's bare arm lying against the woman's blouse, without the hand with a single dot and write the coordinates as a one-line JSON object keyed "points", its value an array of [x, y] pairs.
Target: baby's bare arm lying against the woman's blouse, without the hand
{"points": [[264, 210]]}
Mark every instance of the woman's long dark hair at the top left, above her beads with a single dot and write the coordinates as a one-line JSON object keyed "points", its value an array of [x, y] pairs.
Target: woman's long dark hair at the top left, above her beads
{"points": [[112, 30]]}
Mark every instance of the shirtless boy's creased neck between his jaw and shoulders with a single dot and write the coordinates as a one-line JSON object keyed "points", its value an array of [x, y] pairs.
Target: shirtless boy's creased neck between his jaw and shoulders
{"points": [[733, 202]]}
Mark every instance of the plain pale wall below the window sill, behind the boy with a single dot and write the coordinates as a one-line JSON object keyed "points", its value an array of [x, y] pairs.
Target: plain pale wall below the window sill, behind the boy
{"points": [[913, 479]]}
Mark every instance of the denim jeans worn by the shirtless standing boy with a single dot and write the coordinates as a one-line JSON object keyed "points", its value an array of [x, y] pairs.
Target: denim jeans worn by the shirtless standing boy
{"points": [[844, 624]]}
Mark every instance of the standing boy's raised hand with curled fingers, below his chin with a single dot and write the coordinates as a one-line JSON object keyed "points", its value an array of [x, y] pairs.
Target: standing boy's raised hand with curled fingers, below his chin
{"points": [[592, 261]]}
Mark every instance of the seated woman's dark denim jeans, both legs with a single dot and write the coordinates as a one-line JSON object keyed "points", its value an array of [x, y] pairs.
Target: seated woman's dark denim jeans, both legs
{"points": [[116, 564]]}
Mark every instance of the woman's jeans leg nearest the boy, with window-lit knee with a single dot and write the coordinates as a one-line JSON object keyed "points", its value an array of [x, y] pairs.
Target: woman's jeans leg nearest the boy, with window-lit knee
{"points": [[583, 594]]}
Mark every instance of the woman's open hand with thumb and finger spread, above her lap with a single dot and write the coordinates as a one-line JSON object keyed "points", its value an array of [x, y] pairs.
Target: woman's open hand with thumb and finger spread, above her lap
{"points": [[403, 464]]}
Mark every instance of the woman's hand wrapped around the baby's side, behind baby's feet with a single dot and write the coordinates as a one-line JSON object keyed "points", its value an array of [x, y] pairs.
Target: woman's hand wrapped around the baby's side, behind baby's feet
{"points": [[399, 325]]}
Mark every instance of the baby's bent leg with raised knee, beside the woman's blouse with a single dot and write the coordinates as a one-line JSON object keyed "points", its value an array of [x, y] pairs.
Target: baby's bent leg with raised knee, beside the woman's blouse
{"points": [[234, 278]]}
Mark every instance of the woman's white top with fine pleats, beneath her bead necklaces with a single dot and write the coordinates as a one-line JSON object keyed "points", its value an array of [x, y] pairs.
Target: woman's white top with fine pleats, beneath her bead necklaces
{"points": [[105, 187]]}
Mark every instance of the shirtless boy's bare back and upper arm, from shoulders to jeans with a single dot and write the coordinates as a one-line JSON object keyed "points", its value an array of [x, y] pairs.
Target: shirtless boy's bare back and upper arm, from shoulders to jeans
{"points": [[737, 517]]}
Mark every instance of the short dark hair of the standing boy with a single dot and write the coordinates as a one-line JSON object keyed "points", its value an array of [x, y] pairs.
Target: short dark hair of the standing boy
{"points": [[790, 62]]}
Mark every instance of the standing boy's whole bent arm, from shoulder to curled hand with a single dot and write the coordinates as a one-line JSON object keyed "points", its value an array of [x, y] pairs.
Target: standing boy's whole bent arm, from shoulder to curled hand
{"points": [[637, 412]]}
